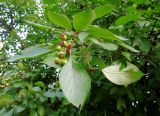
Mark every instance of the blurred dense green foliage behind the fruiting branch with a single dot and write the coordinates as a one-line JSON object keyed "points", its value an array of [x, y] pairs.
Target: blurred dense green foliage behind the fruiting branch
{"points": [[30, 87]]}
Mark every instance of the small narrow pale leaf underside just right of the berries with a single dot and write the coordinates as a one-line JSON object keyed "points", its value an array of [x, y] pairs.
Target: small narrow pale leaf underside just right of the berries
{"points": [[107, 46]]}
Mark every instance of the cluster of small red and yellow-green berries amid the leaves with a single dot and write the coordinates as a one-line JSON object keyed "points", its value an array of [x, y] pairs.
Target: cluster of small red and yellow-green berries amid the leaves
{"points": [[63, 49]]}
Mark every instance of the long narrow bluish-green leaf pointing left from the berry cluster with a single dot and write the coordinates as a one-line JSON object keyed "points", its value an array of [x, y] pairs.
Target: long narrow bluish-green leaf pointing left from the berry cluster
{"points": [[30, 52]]}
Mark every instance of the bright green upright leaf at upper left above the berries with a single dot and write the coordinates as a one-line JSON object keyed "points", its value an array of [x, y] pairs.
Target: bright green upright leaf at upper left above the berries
{"points": [[60, 20]]}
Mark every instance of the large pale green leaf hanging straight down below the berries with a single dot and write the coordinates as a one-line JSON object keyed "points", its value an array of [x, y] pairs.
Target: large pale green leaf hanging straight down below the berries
{"points": [[75, 83]]}
